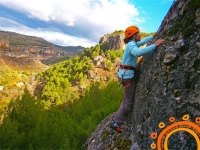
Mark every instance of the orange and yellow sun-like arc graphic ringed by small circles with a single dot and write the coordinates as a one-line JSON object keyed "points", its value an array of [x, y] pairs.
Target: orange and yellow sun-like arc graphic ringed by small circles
{"points": [[185, 125]]}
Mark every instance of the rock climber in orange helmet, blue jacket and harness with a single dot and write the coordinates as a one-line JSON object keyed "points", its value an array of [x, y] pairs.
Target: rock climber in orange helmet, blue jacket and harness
{"points": [[127, 70]]}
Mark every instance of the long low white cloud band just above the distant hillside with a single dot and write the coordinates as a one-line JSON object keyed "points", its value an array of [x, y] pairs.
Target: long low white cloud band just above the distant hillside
{"points": [[50, 35]]}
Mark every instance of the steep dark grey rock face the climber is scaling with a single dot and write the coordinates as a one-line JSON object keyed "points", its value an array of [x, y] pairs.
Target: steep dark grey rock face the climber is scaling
{"points": [[169, 85]]}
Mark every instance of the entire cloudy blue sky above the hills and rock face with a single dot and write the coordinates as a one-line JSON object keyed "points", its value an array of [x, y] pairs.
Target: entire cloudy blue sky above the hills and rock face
{"points": [[80, 22]]}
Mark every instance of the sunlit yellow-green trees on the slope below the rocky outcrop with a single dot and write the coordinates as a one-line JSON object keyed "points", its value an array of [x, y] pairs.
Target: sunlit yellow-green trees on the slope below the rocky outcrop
{"points": [[60, 79]]}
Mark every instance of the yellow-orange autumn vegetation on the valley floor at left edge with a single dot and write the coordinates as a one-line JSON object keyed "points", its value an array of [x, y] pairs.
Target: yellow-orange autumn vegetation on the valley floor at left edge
{"points": [[14, 81]]}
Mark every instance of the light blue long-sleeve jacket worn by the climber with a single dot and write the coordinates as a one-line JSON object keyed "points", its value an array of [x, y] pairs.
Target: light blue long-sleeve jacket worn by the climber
{"points": [[131, 54]]}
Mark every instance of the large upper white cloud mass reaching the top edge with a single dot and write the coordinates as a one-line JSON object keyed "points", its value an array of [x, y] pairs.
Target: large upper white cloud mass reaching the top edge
{"points": [[97, 17]]}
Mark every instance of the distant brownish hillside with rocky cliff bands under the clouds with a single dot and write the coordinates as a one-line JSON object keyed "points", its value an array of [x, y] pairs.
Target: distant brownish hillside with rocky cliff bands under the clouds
{"points": [[38, 50]]}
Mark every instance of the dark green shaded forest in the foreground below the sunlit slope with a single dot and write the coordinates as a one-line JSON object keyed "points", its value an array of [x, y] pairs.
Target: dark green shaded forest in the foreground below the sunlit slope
{"points": [[29, 126]]}
